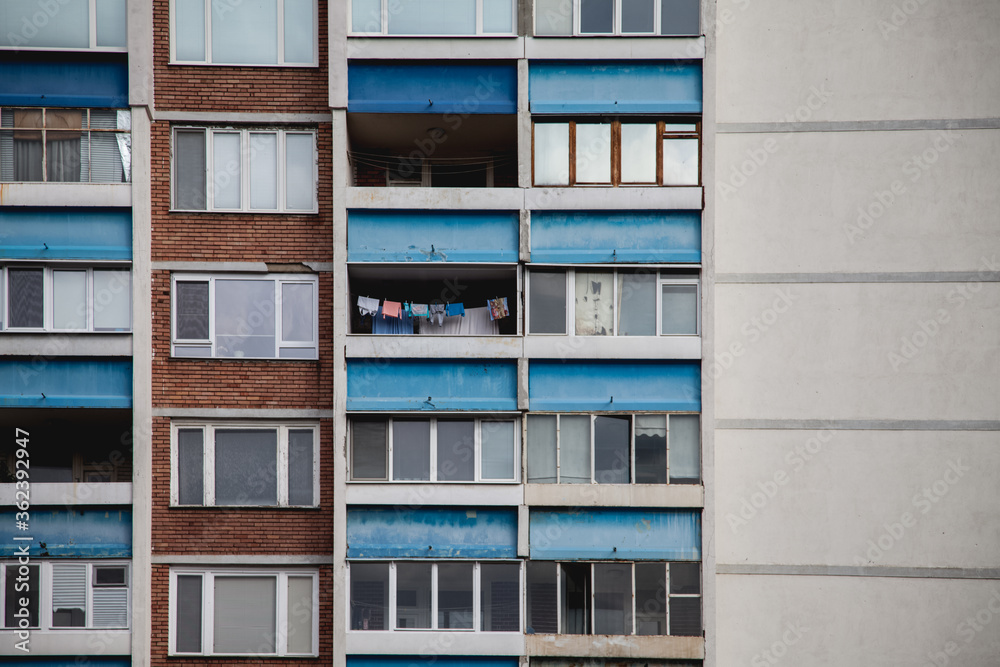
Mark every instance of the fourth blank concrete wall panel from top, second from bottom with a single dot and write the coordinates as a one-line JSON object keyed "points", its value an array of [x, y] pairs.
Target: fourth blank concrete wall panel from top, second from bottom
{"points": [[920, 498]]}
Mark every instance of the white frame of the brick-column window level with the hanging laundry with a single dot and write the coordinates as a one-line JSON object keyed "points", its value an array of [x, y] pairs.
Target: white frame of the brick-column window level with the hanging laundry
{"points": [[209, 343]]}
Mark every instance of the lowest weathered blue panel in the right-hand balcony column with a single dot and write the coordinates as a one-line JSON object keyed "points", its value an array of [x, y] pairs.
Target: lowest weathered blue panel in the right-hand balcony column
{"points": [[622, 534]]}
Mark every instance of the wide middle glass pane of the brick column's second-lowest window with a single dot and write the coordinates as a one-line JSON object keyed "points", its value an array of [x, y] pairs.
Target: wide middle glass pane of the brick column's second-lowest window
{"points": [[246, 470]]}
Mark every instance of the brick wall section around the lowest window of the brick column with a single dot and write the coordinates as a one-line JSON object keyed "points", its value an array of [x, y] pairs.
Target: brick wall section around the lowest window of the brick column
{"points": [[160, 623]]}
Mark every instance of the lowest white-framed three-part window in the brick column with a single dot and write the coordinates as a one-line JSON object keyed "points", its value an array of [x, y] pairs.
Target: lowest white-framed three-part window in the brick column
{"points": [[244, 612]]}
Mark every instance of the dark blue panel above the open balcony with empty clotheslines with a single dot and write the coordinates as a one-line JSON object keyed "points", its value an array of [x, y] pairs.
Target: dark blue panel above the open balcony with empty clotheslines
{"points": [[455, 88]]}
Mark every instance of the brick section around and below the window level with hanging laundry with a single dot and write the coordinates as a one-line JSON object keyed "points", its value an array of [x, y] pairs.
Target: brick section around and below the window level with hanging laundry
{"points": [[232, 383]]}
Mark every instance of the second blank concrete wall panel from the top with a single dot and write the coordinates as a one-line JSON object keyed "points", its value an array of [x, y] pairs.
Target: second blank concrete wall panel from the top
{"points": [[857, 201]]}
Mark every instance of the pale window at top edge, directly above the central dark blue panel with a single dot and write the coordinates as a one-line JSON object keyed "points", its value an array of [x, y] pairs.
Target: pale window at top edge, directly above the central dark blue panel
{"points": [[433, 17]]}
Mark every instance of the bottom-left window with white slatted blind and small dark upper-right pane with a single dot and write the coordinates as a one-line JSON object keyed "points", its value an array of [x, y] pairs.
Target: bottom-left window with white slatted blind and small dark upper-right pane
{"points": [[66, 594]]}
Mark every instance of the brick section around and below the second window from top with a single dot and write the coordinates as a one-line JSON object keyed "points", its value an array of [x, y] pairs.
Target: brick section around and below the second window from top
{"points": [[239, 237]]}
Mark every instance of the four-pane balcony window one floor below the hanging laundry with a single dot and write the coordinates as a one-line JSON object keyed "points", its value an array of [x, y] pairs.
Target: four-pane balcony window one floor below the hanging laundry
{"points": [[453, 449]]}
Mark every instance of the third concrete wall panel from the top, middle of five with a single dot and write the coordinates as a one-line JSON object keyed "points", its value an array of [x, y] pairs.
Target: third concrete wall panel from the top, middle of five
{"points": [[856, 351]]}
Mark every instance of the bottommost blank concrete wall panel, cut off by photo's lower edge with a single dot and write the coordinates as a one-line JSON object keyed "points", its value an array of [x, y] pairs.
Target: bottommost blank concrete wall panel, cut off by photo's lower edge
{"points": [[820, 621]]}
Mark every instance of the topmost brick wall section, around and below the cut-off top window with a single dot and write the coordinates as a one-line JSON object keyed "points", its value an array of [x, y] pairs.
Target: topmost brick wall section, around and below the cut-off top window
{"points": [[221, 88]]}
